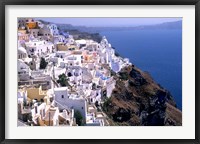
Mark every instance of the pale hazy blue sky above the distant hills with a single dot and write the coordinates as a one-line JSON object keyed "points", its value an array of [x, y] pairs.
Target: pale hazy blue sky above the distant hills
{"points": [[110, 21]]}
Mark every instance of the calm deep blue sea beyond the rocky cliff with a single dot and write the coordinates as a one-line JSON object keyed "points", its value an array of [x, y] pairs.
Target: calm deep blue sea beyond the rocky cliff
{"points": [[157, 51]]}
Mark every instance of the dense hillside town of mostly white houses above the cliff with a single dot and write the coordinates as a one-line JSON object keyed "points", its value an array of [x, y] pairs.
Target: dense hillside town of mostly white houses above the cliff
{"points": [[87, 65]]}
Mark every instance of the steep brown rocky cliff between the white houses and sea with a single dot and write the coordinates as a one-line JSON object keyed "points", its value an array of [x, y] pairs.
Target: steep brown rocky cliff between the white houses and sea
{"points": [[138, 100]]}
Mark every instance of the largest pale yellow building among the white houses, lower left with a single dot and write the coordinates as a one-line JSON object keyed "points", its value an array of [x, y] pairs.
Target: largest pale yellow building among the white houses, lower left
{"points": [[36, 93]]}
